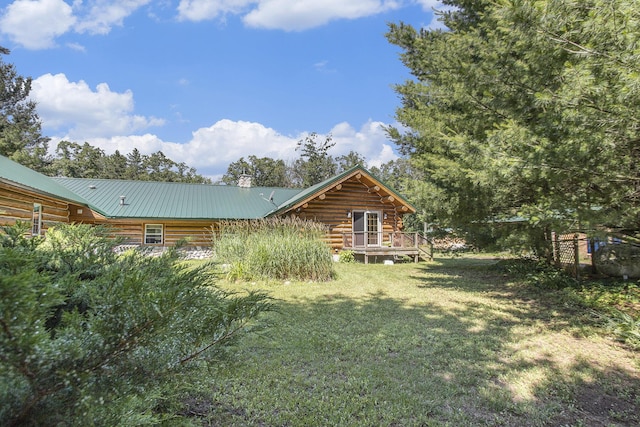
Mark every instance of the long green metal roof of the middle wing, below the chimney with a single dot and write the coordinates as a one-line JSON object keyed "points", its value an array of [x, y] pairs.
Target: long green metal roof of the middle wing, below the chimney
{"points": [[170, 200]]}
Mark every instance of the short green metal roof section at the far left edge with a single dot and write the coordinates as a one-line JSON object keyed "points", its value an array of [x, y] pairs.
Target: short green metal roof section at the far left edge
{"points": [[25, 177]]}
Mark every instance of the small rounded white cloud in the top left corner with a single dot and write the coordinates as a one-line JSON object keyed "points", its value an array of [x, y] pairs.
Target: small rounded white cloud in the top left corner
{"points": [[35, 24]]}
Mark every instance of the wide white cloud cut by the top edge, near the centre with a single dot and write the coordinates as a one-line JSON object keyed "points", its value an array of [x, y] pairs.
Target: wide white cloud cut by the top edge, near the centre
{"points": [[297, 15]]}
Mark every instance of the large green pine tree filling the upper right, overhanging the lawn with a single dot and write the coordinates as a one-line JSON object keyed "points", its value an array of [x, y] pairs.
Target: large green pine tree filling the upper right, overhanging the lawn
{"points": [[526, 108]]}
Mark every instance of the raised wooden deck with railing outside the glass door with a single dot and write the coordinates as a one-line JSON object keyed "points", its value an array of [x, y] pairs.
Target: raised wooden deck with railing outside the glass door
{"points": [[394, 245]]}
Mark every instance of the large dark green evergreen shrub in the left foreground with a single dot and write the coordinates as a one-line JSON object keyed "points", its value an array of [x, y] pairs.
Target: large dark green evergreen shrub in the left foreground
{"points": [[91, 337]]}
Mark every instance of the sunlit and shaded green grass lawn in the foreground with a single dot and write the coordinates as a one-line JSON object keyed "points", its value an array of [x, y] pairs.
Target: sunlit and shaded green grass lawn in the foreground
{"points": [[451, 342]]}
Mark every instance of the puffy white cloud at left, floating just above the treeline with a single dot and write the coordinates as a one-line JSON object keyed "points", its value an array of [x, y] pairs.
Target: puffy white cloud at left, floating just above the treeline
{"points": [[84, 113]]}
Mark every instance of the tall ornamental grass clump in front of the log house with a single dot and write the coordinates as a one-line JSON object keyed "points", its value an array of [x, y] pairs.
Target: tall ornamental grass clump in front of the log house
{"points": [[274, 248]]}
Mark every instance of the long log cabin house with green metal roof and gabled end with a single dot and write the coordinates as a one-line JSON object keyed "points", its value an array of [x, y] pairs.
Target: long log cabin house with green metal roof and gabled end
{"points": [[360, 212]]}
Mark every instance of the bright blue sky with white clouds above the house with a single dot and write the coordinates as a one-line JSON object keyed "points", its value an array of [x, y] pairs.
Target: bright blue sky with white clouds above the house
{"points": [[210, 81]]}
